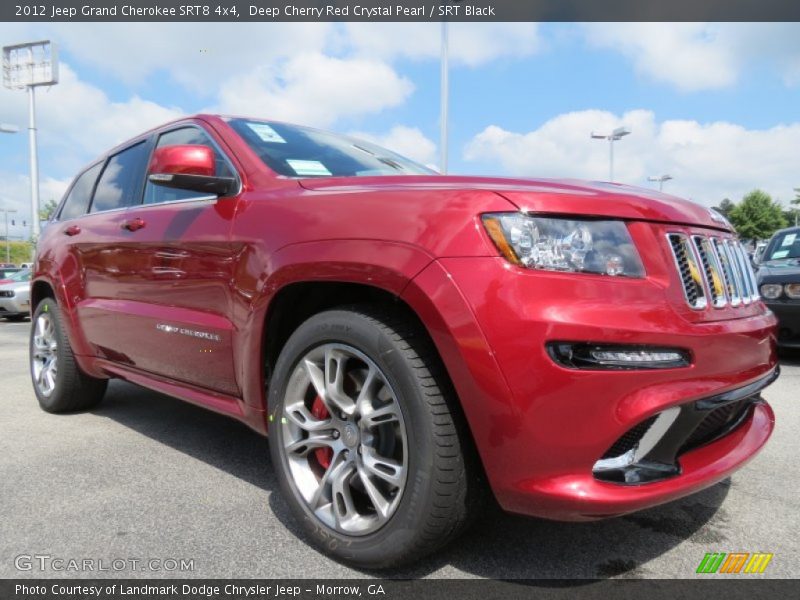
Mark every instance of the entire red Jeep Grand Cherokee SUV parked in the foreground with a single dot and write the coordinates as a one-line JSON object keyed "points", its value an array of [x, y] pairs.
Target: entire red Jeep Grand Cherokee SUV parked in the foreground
{"points": [[407, 339]]}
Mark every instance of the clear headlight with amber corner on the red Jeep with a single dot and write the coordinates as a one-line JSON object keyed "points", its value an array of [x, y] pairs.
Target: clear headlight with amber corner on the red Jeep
{"points": [[554, 244]]}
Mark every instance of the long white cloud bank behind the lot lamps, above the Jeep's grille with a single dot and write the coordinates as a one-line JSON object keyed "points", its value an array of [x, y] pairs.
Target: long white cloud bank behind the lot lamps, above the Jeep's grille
{"points": [[709, 161]]}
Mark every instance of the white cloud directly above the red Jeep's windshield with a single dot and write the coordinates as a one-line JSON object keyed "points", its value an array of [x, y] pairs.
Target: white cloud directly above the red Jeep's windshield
{"points": [[315, 89]]}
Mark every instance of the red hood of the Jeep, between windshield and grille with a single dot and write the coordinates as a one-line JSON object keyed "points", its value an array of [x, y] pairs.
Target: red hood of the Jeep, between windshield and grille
{"points": [[546, 196]]}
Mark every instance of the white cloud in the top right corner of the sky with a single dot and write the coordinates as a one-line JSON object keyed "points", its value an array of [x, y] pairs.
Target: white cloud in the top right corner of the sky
{"points": [[702, 56]]}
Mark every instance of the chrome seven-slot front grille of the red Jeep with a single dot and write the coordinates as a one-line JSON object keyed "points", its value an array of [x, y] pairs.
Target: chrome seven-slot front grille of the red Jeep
{"points": [[713, 270]]}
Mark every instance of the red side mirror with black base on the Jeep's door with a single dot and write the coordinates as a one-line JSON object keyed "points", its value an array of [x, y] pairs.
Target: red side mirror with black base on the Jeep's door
{"points": [[188, 167]]}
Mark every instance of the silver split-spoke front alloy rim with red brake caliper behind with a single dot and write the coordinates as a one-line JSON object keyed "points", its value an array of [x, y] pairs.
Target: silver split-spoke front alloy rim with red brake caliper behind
{"points": [[344, 439]]}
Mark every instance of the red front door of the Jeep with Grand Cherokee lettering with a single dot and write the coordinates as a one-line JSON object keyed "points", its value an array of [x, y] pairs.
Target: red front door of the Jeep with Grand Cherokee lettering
{"points": [[167, 308]]}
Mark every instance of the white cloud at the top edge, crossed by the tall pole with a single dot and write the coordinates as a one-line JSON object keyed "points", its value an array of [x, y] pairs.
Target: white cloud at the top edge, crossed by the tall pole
{"points": [[471, 44]]}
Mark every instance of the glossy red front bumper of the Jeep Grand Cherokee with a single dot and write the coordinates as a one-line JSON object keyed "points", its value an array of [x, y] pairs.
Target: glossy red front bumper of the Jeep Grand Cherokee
{"points": [[540, 427]]}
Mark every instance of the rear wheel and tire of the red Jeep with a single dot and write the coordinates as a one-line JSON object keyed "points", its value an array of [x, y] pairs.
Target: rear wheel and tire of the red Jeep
{"points": [[58, 382]]}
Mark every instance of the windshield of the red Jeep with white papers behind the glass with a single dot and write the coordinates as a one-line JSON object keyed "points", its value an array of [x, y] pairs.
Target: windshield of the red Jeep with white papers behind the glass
{"points": [[295, 151]]}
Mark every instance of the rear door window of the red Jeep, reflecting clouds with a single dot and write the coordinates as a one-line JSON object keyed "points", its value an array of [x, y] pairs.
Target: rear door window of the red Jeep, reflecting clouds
{"points": [[120, 180]]}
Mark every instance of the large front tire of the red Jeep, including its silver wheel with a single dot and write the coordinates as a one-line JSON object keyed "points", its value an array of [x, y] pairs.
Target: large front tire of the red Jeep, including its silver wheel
{"points": [[416, 426]]}
